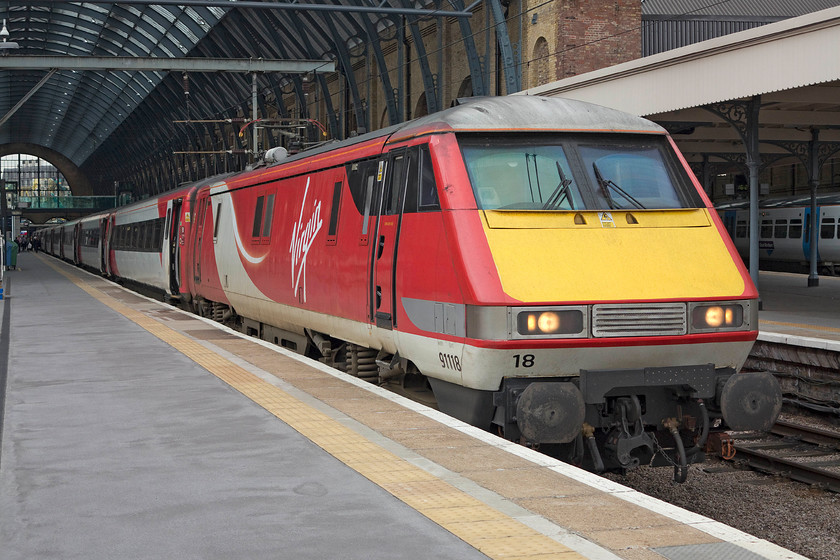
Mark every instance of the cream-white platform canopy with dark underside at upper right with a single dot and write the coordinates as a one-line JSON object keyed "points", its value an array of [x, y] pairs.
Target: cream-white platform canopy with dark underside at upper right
{"points": [[779, 82]]}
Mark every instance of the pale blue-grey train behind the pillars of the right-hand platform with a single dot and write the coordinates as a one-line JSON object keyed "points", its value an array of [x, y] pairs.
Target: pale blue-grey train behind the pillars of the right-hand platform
{"points": [[785, 232]]}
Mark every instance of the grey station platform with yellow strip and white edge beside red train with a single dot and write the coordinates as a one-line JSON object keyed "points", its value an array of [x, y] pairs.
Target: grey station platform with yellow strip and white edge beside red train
{"points": [[131, 429]]}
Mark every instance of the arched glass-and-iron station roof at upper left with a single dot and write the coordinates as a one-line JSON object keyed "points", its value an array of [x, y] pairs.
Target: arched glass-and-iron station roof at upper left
{"points": [[114, 114]]}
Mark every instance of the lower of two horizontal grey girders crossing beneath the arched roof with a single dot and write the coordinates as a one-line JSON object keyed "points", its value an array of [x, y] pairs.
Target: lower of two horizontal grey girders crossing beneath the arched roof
{"points": [[129, 63]]}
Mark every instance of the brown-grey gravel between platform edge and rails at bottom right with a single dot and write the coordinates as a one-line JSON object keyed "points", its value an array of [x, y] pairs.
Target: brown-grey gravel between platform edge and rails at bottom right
{"points": [[793, 515]]}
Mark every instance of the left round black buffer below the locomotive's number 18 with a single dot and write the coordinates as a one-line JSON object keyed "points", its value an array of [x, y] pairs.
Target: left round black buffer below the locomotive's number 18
{"points": [[550, 412]]}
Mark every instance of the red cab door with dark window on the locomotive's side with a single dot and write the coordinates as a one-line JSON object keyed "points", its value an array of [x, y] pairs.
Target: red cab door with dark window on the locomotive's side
{"points": [[392, 176]]}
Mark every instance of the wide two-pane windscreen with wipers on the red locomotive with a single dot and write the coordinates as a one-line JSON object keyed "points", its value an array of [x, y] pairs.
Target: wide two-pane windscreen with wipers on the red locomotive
{"points": [[580, 172]]}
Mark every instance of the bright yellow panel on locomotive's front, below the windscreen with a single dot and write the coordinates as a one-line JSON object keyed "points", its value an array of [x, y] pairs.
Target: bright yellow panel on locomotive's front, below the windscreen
{"points": [[665, 255]]}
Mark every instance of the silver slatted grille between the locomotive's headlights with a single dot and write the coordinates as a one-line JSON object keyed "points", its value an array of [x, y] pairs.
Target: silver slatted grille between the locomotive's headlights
{"points": [[638, 319]]}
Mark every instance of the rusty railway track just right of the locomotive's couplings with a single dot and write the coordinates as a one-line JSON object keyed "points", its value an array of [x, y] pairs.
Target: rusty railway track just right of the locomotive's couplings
{"points": [[802, 453]]}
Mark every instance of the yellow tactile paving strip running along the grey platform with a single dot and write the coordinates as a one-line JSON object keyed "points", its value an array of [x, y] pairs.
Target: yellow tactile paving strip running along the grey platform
{"points": [[481, 526]]}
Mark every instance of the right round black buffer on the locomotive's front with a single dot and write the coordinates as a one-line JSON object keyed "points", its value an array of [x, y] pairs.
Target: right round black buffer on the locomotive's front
{"points": [[751, 401]]}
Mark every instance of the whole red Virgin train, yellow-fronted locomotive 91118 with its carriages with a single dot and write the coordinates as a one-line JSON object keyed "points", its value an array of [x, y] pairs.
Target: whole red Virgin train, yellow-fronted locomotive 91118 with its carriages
{"points": [[543, 268]]}
